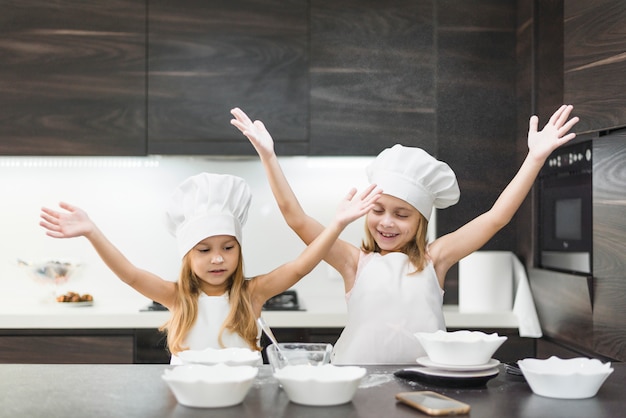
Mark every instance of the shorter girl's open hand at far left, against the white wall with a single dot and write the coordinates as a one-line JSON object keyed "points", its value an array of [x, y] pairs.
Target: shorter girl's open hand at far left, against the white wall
{"points": [[74, 222]]}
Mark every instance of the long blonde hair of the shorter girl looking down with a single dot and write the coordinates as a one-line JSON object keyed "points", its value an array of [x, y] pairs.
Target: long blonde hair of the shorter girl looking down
{"points": [[240, 319]]}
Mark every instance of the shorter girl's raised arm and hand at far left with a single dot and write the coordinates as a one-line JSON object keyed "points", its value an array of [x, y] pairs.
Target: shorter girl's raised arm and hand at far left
{"points": [[74, 222]]}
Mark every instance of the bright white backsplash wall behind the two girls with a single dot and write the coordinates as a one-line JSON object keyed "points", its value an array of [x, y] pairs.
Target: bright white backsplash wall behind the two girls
{"points": [[126, 197]]}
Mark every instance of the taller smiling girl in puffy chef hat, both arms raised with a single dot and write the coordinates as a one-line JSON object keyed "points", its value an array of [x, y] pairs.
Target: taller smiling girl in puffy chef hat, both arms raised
{"points": [[394, 282]]}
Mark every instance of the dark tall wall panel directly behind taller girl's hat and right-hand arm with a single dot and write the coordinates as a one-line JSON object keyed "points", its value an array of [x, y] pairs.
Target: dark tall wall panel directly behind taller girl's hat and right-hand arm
{"points": [[476, 125]]}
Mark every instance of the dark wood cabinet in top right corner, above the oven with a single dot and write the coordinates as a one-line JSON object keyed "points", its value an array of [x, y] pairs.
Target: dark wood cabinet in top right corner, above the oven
{"points": [[595, 62]]}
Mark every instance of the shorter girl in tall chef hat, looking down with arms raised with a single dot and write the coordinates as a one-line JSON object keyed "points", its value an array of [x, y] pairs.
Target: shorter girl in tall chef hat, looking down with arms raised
{"points": [[212, 303]]}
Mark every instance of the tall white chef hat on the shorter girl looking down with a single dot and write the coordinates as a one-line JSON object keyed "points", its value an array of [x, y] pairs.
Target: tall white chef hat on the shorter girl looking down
{"points": [[206, 205]]}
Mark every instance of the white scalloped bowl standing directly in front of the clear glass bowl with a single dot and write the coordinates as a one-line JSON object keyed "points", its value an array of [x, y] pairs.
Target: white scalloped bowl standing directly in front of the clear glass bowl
{"points": [[320, 385]]}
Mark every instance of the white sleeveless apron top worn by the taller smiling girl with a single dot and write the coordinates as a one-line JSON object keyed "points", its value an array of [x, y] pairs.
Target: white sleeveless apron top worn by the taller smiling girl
{"points": [[386, 307]]}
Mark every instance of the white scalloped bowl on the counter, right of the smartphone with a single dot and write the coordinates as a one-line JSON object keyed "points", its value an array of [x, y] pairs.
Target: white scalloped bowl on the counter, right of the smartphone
{"points": [[575, 378]]}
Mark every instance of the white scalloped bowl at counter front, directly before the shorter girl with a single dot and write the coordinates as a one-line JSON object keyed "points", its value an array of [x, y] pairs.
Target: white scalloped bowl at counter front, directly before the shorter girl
{"points": [[201, 386]]}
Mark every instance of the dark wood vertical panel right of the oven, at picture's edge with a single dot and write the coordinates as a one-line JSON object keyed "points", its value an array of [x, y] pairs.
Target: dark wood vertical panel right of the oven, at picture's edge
{"points": [[609, 252]]}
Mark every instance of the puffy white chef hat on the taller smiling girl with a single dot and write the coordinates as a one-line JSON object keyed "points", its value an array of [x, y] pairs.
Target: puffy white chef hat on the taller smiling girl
{"points": [[413, 175]]}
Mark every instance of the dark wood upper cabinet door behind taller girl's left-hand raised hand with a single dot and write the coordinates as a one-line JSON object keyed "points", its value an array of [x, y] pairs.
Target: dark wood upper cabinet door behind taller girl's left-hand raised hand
{"points": [[207, 57]]}
